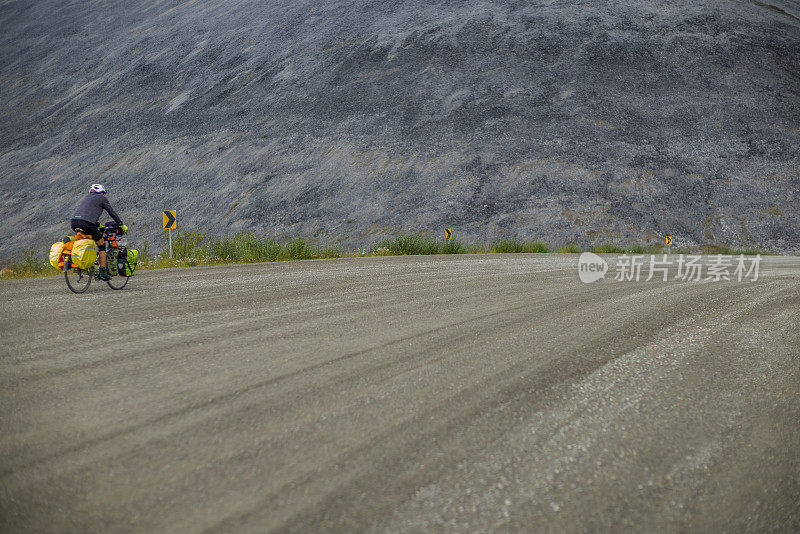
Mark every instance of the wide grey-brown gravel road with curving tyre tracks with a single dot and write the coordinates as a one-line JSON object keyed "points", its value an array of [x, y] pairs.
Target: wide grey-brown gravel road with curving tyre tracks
{"points": [[404, 394]]}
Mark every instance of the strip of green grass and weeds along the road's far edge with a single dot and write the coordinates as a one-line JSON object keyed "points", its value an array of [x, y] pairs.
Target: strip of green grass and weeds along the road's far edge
{"points": [[193, 248]]}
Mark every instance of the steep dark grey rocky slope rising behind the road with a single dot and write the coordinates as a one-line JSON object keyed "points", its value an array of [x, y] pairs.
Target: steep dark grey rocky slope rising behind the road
{"points": [[349, 120]]}
